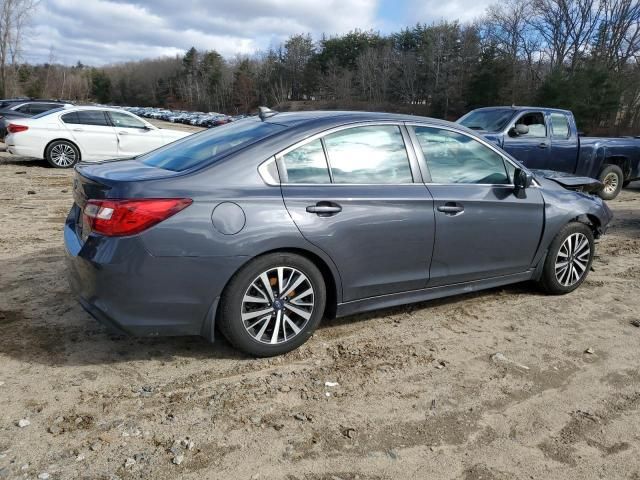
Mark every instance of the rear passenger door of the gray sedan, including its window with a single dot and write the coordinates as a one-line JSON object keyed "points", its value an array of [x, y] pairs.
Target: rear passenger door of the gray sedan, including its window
{"points": [[356, 193]]}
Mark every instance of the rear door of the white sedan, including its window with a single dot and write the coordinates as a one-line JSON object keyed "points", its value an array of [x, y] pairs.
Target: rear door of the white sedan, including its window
{"points": [[93, 132]]}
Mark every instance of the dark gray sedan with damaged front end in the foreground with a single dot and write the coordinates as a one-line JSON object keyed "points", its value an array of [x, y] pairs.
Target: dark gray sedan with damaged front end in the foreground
{"points": [[264, 226]]}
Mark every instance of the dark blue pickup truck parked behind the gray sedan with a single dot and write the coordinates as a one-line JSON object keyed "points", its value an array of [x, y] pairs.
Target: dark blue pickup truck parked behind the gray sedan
{"points": [[547, 138]]}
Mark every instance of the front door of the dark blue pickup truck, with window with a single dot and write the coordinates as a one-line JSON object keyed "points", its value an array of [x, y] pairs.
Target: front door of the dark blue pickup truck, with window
{"points": [[532, 149]]}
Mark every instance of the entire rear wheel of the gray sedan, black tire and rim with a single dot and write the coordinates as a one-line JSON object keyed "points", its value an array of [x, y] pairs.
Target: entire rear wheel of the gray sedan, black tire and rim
{"points": [[272, 305]]}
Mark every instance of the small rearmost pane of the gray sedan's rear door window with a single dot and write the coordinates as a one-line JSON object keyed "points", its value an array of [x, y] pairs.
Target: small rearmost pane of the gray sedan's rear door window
{"points": [[306, 164]]}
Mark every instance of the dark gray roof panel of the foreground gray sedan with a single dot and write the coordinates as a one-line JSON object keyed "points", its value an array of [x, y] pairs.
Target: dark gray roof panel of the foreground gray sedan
{"points": [[309, 118]]}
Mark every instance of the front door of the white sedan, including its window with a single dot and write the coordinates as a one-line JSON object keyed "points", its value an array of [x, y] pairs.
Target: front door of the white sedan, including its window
{"points": [[134, 135]]}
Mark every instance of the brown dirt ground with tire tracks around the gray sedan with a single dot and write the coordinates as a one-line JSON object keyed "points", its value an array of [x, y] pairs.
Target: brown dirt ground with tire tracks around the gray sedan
{"points": [[418, 392]]}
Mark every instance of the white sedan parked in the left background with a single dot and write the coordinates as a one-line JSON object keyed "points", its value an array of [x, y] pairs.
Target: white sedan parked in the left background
{"points": [[67, 135]]}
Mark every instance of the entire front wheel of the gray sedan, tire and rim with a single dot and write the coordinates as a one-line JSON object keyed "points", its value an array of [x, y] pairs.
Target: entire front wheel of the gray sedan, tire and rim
{"points": [[568, 260]]}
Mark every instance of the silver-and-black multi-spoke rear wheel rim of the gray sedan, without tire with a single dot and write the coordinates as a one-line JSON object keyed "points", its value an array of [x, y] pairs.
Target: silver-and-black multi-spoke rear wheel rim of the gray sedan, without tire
{"points": [[277, 305]]}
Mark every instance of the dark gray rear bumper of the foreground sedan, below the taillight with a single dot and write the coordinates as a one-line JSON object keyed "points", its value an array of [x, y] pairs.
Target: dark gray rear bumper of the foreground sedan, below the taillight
{"points": [[124, 287]]}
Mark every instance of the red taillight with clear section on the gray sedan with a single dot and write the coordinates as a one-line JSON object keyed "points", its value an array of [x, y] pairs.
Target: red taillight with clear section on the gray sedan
{"points": [[115, 218]]}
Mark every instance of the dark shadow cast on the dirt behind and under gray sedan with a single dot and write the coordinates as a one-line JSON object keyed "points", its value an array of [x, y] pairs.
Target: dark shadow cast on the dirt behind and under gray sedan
{"points": [[43, 323]]}
